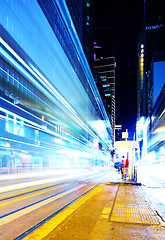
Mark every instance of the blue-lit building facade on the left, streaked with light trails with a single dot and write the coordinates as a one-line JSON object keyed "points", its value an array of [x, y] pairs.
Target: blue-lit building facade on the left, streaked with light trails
{"points": [[51, 111]]}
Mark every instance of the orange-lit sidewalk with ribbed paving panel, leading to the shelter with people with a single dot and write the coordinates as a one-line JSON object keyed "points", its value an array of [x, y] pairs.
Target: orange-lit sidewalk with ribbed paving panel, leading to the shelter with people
{"points": [[117, 211]]}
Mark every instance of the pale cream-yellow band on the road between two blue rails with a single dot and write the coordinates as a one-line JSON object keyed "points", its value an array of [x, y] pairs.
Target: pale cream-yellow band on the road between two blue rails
{"points": [[24, 211]]}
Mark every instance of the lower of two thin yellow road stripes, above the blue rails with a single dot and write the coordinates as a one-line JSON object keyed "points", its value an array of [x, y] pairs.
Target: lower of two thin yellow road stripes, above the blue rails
{"points": [[32, 195]]}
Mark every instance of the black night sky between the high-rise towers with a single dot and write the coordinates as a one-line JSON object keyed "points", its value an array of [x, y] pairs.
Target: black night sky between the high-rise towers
{"points": [[117, 27]]}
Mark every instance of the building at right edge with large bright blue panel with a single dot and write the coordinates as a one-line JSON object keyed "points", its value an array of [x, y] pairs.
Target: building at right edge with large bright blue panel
{"points": [[156, 103]]}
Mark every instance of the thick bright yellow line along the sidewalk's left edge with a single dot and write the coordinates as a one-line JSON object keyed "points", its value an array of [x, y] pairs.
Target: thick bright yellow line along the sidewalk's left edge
{"points": [[49, 226]]}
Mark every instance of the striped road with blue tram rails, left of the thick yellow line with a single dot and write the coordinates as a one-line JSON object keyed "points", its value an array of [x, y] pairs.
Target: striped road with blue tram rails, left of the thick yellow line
{"points": [[29, 199]]}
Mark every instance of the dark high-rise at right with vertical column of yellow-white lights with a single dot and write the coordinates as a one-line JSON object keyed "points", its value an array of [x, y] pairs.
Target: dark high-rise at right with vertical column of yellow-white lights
{"points": [[152, 39]]}
